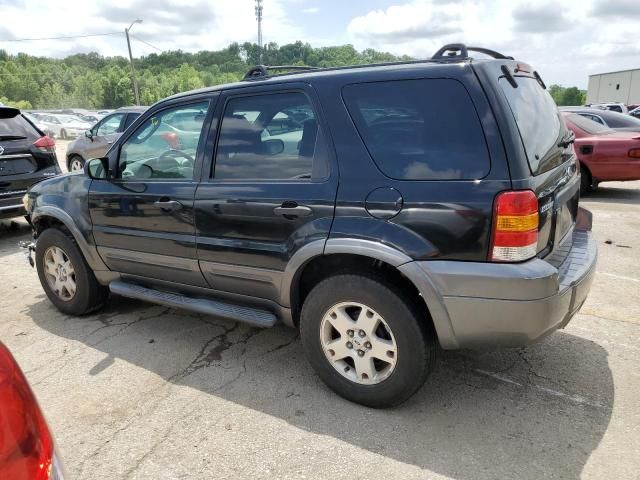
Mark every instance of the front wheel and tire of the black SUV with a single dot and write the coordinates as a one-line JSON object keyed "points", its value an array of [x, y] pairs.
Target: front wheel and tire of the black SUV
{"points": [[65, 276]]}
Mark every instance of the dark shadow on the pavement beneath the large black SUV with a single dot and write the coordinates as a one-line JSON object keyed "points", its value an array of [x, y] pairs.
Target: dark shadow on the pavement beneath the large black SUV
{"points": [[514, 413]]}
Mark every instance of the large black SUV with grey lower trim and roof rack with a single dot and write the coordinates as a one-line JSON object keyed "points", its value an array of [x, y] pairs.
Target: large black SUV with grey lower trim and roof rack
{"points": [[383, 210]]}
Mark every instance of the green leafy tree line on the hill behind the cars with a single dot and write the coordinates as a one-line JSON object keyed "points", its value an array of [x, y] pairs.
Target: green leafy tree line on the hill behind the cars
{"points": [[94, 81]]}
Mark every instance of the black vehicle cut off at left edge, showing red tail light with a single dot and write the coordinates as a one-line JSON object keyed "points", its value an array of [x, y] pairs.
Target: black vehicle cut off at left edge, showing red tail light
{"points": [[27, 156]]}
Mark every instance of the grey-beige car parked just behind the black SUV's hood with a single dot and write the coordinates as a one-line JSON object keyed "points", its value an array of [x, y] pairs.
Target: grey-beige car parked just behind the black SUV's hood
{"points": [[98, 139]]}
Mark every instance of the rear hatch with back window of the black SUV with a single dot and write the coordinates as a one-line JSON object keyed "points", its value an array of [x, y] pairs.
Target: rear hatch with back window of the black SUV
{"points": [[552, 160]]}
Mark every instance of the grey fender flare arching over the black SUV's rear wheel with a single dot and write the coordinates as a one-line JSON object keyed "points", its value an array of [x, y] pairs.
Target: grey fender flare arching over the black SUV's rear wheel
{"points": [[379, 251]]}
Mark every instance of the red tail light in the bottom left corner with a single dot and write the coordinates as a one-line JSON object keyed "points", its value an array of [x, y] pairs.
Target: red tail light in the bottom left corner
{"points": [[26, 445]]}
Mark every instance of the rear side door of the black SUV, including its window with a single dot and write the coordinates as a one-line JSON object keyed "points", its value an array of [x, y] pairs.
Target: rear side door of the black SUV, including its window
{"points": [[269, 191]]}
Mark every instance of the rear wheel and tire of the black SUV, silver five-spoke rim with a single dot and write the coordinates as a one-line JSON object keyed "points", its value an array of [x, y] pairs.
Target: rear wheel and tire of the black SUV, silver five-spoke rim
{"points": [[366, 340]]}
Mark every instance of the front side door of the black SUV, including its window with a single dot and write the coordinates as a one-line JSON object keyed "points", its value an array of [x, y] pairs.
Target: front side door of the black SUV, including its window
{"points": [[143, 220]]}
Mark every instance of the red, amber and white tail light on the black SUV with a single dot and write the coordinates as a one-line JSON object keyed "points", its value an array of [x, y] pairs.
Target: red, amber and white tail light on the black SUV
{"points": [[515, 227]]}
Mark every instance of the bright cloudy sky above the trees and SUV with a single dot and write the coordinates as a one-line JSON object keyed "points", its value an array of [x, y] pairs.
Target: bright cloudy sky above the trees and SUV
{"points": [[564, 40]]}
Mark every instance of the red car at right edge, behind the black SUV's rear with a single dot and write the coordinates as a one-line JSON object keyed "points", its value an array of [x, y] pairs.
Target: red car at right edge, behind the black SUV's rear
{"points": [[604, 154]]}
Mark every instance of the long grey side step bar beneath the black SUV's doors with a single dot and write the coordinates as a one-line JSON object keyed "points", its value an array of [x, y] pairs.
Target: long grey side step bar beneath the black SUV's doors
{"points": [[252, 316]]}
